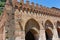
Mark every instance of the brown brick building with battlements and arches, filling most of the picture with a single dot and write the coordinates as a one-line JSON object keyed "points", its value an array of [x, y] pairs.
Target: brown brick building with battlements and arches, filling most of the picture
{"points": [[24, 21]]}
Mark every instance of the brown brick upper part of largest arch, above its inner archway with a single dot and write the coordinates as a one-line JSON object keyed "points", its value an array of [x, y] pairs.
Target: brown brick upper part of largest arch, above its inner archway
{"points": [[32, 23]]}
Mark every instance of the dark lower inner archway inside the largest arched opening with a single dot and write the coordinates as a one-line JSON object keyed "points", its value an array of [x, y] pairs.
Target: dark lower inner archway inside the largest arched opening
{"points": [[32, 35]]}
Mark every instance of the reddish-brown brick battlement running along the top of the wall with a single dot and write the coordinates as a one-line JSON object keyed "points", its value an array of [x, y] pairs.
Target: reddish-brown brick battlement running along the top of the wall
{"points": [[35, 8]]}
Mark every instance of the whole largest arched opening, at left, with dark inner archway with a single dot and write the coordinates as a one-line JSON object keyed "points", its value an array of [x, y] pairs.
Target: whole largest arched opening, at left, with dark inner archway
{"points": [[30, 33]]}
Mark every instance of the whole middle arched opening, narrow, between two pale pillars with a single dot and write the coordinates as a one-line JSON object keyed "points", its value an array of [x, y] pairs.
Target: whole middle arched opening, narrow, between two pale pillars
{"points": [[48, 30]]}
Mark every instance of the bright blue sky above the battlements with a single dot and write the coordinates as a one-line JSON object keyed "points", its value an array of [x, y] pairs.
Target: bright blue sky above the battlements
{"points": [[47, 3]]}
